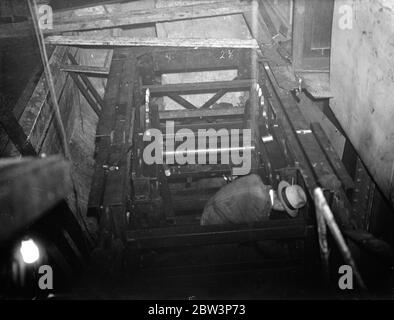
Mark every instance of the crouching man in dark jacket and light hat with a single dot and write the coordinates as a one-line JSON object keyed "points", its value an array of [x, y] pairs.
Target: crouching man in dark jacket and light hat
{"points": [[248, 199]]}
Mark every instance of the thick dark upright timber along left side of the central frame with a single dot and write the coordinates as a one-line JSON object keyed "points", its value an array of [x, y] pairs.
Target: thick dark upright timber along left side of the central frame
{"points": [[111, 186]]}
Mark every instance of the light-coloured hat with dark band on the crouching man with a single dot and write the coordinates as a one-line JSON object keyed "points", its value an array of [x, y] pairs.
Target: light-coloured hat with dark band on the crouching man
{"points": [[292, 197]]}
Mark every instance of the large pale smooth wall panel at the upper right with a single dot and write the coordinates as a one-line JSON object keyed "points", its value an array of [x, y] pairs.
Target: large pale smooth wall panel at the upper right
{"points": [[362, 82]]}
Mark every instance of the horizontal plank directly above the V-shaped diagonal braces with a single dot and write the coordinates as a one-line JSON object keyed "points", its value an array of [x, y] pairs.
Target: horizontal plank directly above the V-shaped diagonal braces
{"points": [[199, 87]]}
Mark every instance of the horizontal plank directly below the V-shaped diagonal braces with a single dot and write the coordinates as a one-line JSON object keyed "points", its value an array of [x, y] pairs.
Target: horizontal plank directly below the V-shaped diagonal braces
{"points": [[184, 114]]}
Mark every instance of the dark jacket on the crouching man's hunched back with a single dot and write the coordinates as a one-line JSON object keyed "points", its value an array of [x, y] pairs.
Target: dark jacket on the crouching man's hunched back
{"points": [[244, 200]]}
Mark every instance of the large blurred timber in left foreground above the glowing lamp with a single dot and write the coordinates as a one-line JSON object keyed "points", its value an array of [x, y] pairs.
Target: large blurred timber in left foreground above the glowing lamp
{"points": [[29, 187]]}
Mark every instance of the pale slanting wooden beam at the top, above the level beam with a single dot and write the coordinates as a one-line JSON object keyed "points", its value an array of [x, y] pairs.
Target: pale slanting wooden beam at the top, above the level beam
{"points": [[124, 15]]}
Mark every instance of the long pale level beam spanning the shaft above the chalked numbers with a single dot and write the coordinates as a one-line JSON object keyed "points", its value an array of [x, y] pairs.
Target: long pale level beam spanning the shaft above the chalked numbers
{"points": [[105, 41]]}
